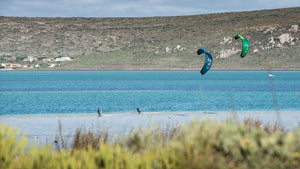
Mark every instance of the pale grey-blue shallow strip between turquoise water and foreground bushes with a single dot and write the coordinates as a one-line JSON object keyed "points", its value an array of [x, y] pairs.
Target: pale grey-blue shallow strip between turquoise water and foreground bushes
{"points": [[44, 128]]}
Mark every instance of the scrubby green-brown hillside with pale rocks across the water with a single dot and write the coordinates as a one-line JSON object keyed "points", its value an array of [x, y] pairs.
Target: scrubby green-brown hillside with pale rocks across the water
{"points": [[164, 43]]}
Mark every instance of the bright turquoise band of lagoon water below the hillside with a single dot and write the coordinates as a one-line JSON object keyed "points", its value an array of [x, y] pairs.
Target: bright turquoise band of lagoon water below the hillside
{"points": [[60, 92]]}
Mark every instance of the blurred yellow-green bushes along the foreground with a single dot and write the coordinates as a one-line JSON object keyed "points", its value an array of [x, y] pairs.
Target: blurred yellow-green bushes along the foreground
{"points": [[207, 144]]}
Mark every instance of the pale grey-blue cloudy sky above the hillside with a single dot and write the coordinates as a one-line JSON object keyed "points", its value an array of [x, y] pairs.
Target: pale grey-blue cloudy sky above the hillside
{"points": [[133, 8]]}
